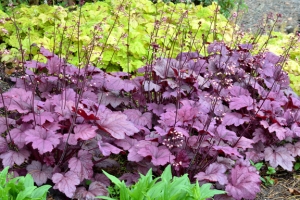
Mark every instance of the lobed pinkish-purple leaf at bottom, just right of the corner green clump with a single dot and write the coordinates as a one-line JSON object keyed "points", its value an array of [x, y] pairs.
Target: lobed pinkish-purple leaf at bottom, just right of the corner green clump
{"points": [[66, 183]]}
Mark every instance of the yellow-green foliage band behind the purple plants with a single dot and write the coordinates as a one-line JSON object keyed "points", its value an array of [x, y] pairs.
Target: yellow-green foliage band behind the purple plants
{"points": [[125, 36]]}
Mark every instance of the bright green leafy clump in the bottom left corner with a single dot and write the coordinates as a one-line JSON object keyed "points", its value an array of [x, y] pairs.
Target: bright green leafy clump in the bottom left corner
{"points": [[20, 187]]}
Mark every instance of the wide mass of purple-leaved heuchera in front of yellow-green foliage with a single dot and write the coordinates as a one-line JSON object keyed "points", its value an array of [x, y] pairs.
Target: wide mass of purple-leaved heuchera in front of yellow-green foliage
{"points": [[205, 115]]}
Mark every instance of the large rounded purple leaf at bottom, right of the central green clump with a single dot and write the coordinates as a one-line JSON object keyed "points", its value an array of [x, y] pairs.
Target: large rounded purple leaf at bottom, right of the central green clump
{"points": [[244, 182]]}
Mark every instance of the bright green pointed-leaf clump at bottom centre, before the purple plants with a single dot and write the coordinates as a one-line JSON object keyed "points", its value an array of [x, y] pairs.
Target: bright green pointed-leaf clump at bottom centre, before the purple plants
{"points": [[164, 187]]}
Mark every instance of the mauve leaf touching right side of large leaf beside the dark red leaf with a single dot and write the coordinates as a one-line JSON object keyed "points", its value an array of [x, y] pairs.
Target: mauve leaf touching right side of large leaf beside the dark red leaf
{"points": [[138, 118]]}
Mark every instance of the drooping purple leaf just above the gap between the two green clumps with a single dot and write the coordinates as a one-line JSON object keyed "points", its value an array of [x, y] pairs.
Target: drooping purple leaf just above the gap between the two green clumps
{"points": [[82, 165]]}
